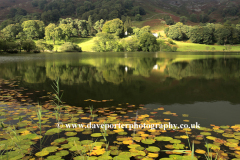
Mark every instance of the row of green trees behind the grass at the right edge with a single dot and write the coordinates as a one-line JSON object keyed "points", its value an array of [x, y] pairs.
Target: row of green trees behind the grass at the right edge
{"points": [[205, 34]]}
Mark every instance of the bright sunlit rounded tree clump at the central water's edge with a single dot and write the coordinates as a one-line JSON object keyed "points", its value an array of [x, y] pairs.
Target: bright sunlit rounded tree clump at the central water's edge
{"points": [[140, 40]]}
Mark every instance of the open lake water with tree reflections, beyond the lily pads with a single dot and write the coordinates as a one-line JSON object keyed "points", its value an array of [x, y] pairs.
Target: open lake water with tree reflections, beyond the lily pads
{"points": [[206, 87]]}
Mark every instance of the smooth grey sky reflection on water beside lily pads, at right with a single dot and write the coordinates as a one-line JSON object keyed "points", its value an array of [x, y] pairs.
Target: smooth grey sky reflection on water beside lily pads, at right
{"points": [[205, 113]]}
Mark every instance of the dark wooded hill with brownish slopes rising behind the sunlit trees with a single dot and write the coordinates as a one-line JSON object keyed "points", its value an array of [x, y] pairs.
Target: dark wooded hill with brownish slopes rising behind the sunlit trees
{"points": [[195, 10]]}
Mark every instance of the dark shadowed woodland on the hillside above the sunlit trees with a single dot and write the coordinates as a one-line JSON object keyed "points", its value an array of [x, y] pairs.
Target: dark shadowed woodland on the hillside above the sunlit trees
{"points": [[102, 9]]}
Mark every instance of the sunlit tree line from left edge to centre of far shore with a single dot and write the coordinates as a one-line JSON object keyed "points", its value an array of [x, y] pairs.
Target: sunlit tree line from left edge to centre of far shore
{"points": [[110, 35]]}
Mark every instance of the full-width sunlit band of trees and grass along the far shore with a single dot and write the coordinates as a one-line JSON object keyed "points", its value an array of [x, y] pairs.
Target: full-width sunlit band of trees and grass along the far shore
{"points": [[117, 35]]}
